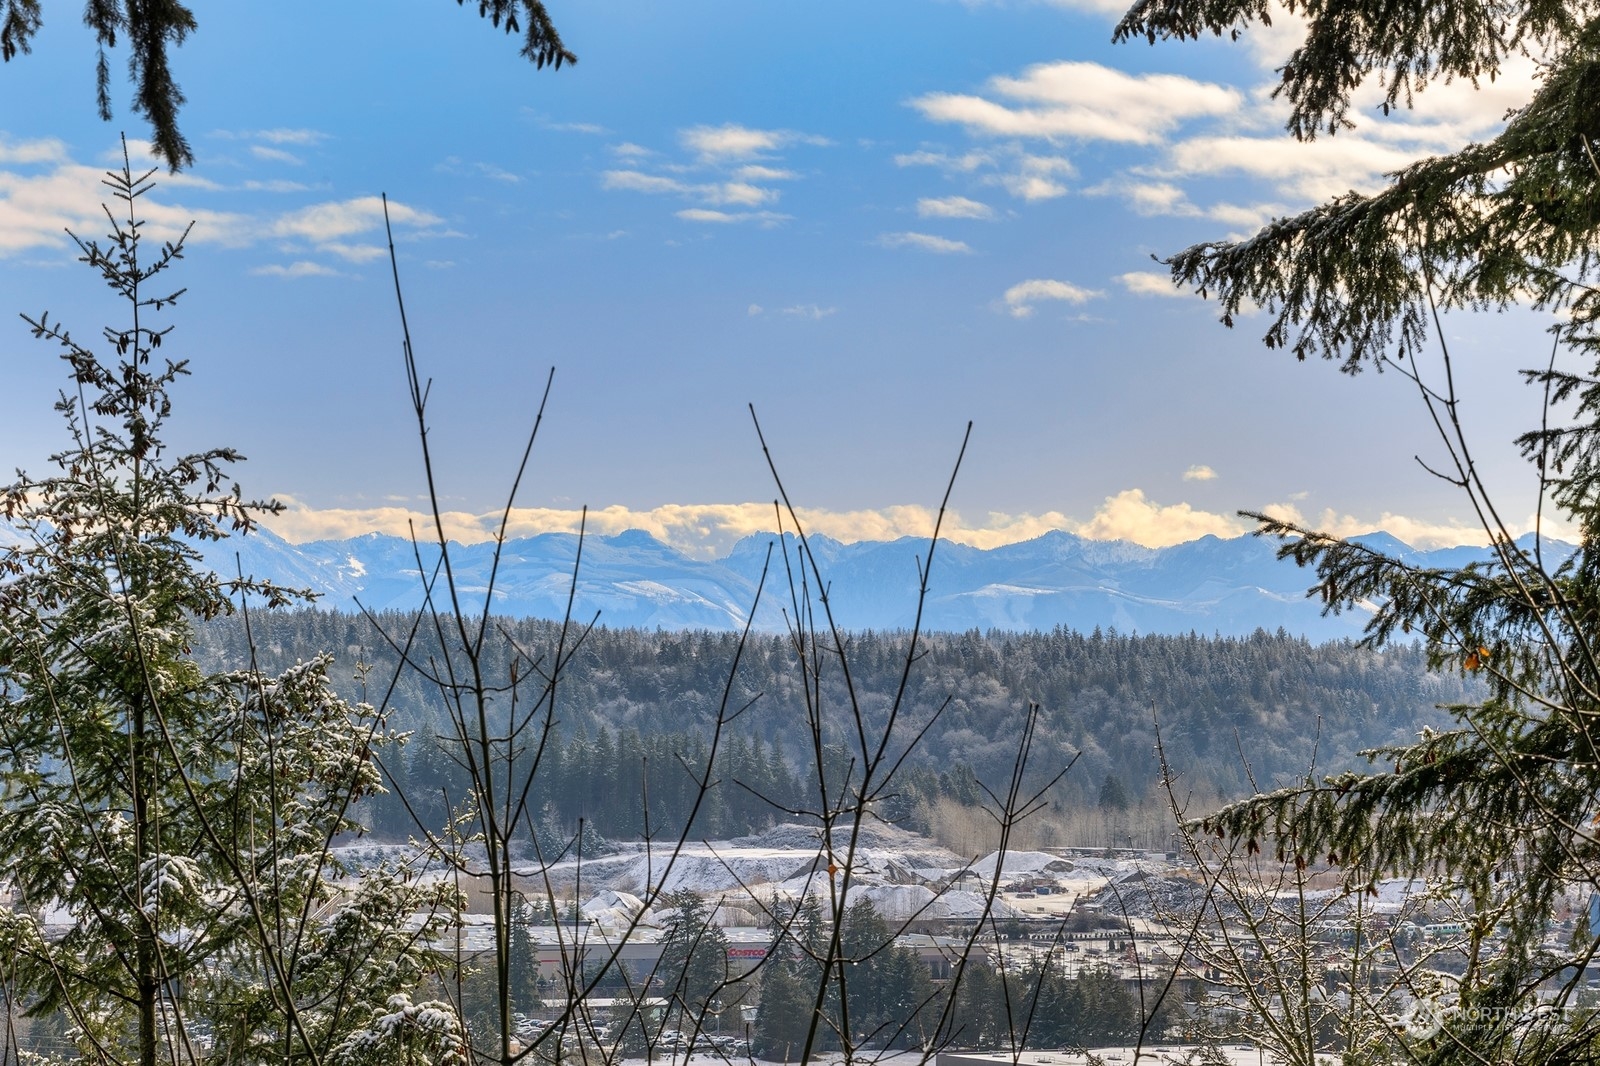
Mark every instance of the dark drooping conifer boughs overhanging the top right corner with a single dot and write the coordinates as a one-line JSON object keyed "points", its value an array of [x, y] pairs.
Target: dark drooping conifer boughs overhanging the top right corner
{"points": [[1492, 225]]}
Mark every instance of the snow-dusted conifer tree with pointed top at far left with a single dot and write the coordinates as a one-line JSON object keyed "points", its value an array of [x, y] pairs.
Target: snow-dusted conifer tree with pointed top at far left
{"points": [[175, 825]]}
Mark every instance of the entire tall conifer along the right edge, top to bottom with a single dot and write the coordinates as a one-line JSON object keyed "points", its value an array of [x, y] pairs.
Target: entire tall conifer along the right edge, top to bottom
{"points": [[1500, 811]]}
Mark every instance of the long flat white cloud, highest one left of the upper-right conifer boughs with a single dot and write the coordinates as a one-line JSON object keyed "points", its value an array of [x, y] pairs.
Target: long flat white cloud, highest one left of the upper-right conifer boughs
{"points": [[1086, 102]]}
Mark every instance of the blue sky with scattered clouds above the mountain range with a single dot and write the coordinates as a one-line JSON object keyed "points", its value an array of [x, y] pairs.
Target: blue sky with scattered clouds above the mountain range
{"points": [[874, 222]]}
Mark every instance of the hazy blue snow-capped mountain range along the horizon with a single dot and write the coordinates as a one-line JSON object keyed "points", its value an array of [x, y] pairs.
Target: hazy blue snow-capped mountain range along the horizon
{"points": [[1226, 587]]}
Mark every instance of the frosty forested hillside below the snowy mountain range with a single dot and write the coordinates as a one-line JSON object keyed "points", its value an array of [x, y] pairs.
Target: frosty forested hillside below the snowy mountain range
{"points": [[633, 703]]}
